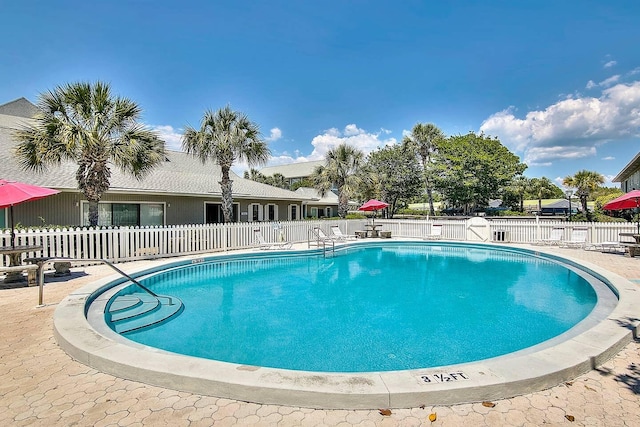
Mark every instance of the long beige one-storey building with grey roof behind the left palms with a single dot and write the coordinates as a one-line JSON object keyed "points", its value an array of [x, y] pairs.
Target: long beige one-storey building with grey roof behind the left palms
{"points": [[180, 191]]}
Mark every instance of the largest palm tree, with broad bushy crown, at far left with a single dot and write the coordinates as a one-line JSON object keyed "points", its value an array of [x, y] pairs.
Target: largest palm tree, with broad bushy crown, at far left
{"points": [[84, 123]]}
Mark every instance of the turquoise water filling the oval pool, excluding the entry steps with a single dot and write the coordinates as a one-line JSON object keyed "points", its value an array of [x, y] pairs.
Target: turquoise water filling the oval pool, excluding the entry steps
{"points": [[386, 307]]}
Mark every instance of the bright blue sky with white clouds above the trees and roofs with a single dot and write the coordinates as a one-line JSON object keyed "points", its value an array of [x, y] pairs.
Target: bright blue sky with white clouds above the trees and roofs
{"points": [[558, 82]]}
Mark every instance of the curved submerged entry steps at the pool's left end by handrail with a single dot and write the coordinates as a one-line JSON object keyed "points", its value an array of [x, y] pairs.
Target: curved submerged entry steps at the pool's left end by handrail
{"points": [[140, 310]]}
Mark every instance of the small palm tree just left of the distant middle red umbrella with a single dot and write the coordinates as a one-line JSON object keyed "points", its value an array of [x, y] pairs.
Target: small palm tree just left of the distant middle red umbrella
{"points": [[340, 170]]}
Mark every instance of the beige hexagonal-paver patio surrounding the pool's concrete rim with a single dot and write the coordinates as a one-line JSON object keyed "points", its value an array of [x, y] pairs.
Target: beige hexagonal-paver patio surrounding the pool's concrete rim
{"points": [[40, 385]]}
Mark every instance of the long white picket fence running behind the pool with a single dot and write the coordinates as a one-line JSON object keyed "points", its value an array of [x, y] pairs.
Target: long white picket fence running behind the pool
{"points": [[132, 243]]}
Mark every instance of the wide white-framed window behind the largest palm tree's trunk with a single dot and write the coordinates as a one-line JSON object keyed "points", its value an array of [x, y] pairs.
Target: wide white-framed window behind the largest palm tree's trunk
{"points": [[126, 214]]}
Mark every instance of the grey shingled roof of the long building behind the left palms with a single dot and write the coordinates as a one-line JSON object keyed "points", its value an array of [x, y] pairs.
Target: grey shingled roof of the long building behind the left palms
{"points": [[181, 173]]}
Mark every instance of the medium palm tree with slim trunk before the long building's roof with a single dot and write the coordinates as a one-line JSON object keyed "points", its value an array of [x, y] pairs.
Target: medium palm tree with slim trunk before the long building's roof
{"points": [[224, 137]]}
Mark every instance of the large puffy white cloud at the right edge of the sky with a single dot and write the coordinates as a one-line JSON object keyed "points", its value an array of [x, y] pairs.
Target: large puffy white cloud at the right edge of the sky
{"points": [[570, 128]]}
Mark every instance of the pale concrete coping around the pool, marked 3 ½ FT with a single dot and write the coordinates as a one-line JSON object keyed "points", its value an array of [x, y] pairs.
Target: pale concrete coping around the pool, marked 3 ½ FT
{"points": [[501, 377]]}
